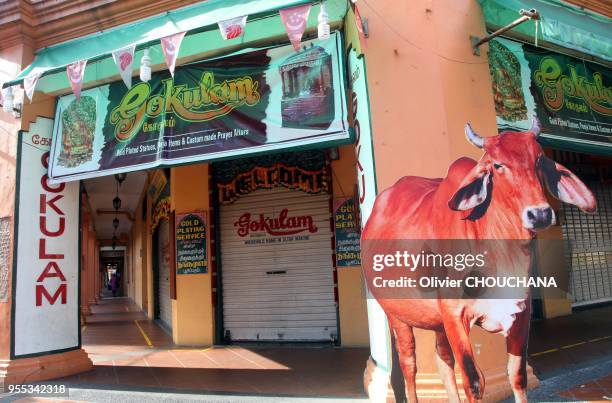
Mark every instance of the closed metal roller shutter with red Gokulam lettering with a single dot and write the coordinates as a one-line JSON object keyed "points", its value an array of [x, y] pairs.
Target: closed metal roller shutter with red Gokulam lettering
{"points": [[278, 287]]}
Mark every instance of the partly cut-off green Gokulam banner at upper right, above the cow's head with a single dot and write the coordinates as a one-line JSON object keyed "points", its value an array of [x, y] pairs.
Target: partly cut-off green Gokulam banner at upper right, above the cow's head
{"points": [[571, 97]]}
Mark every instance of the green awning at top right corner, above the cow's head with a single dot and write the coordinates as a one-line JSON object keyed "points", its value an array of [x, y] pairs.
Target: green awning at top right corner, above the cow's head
{"points": [[561, 24]]}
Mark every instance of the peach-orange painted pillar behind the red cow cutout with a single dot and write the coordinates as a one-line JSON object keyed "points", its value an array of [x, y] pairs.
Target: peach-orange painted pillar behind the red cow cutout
{"points": [[424, 85]]}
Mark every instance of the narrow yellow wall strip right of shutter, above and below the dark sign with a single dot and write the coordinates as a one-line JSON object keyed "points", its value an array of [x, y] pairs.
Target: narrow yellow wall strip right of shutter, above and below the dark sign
{"points": [[351, 292]]}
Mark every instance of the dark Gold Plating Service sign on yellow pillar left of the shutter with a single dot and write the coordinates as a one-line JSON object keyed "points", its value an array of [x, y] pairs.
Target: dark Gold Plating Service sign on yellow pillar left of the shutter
{"points": [[191, 243]]}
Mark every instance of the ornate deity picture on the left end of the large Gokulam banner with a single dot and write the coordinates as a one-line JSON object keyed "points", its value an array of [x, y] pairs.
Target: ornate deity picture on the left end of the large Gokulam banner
{"points": [[78, 126]]}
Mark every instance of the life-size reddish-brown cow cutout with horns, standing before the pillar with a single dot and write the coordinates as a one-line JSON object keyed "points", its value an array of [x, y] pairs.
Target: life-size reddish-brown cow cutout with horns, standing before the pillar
{"points": [[499, 197]]}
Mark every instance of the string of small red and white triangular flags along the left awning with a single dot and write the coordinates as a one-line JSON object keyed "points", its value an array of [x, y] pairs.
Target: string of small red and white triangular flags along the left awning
{"points": [[295, 20]]}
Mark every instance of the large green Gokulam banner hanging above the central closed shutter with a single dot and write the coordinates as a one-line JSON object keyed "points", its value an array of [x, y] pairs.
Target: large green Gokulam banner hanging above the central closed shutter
{"points": [[253, 102]]}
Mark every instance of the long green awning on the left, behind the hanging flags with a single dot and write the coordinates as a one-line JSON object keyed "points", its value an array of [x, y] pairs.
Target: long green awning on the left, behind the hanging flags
{"points": [[203, 39]]}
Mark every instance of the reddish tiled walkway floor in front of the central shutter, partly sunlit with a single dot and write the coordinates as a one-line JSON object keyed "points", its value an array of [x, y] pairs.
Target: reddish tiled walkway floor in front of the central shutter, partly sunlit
{"points": [[116, 337]]}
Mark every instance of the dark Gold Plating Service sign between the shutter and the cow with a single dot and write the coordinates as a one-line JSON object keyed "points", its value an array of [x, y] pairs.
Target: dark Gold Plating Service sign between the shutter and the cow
{"points": [[346, 232]]}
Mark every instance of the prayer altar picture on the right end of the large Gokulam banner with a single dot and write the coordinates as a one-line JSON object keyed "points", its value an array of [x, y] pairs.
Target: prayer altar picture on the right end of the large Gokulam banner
{"points": [[308, 94]]}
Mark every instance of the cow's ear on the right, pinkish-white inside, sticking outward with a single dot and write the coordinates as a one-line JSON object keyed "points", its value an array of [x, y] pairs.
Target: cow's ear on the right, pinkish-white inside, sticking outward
{"points": [[565, 186]]}
